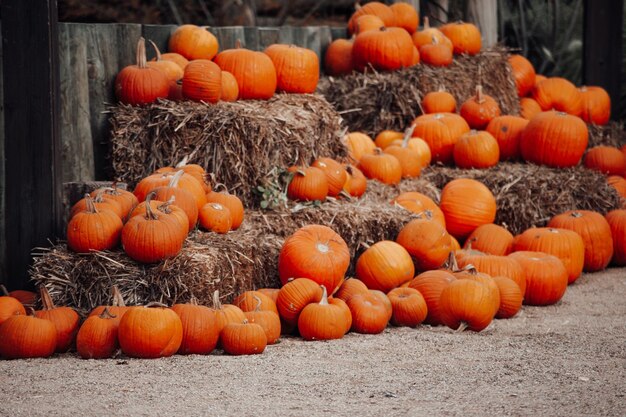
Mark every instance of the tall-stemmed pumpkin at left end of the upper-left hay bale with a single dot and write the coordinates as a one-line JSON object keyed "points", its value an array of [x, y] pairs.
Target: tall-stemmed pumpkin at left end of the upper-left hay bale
{"points": [[139, 84]]}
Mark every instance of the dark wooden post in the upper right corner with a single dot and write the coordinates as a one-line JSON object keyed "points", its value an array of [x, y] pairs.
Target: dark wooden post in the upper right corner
{"points": [[602, 56]]}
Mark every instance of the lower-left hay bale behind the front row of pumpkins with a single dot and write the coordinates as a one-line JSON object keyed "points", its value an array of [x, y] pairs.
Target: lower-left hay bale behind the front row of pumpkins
{"points": [[208, 262]]}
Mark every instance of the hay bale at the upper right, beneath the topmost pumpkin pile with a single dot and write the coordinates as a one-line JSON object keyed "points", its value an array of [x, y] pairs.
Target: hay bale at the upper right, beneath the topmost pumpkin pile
{"points": [[375, 101]]}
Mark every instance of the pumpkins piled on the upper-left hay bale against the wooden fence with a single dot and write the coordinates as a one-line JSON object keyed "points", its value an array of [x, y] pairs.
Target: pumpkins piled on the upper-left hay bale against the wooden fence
{"points": [[194, 70]]}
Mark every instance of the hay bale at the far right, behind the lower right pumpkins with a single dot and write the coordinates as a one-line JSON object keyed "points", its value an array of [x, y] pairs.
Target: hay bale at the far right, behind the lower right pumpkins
{"points": [[529, 195]]}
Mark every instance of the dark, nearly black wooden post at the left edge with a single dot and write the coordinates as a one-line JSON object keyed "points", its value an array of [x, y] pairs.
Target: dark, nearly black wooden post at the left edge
{"points": [[32, 146]]}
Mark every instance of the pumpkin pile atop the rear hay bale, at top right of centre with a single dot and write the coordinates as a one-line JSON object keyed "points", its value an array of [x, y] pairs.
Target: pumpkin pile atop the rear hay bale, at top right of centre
{"points": [[386, 37]]}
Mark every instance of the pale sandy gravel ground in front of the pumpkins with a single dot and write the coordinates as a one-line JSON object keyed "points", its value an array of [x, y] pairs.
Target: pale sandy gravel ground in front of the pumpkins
{"points": [[563, 360]]}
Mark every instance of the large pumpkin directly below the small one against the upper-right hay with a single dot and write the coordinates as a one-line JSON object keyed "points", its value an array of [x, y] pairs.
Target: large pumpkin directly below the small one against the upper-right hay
{"points": [[441, 131]]}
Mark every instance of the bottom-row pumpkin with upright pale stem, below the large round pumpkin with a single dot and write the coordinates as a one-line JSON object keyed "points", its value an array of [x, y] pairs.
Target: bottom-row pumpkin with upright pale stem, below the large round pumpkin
{"points": [[322, 321]]}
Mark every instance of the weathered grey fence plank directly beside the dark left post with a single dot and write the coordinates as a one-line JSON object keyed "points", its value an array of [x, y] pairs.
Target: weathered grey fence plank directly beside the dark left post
{"points": [[74, 127]]}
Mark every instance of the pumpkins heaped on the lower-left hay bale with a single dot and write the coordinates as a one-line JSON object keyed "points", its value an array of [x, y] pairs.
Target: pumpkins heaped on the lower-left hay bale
{"points": [[154, 220]]}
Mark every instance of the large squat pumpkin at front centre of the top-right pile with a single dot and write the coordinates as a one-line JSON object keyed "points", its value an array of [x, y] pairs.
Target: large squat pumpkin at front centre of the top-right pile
{"points": [[386, 49]]}
